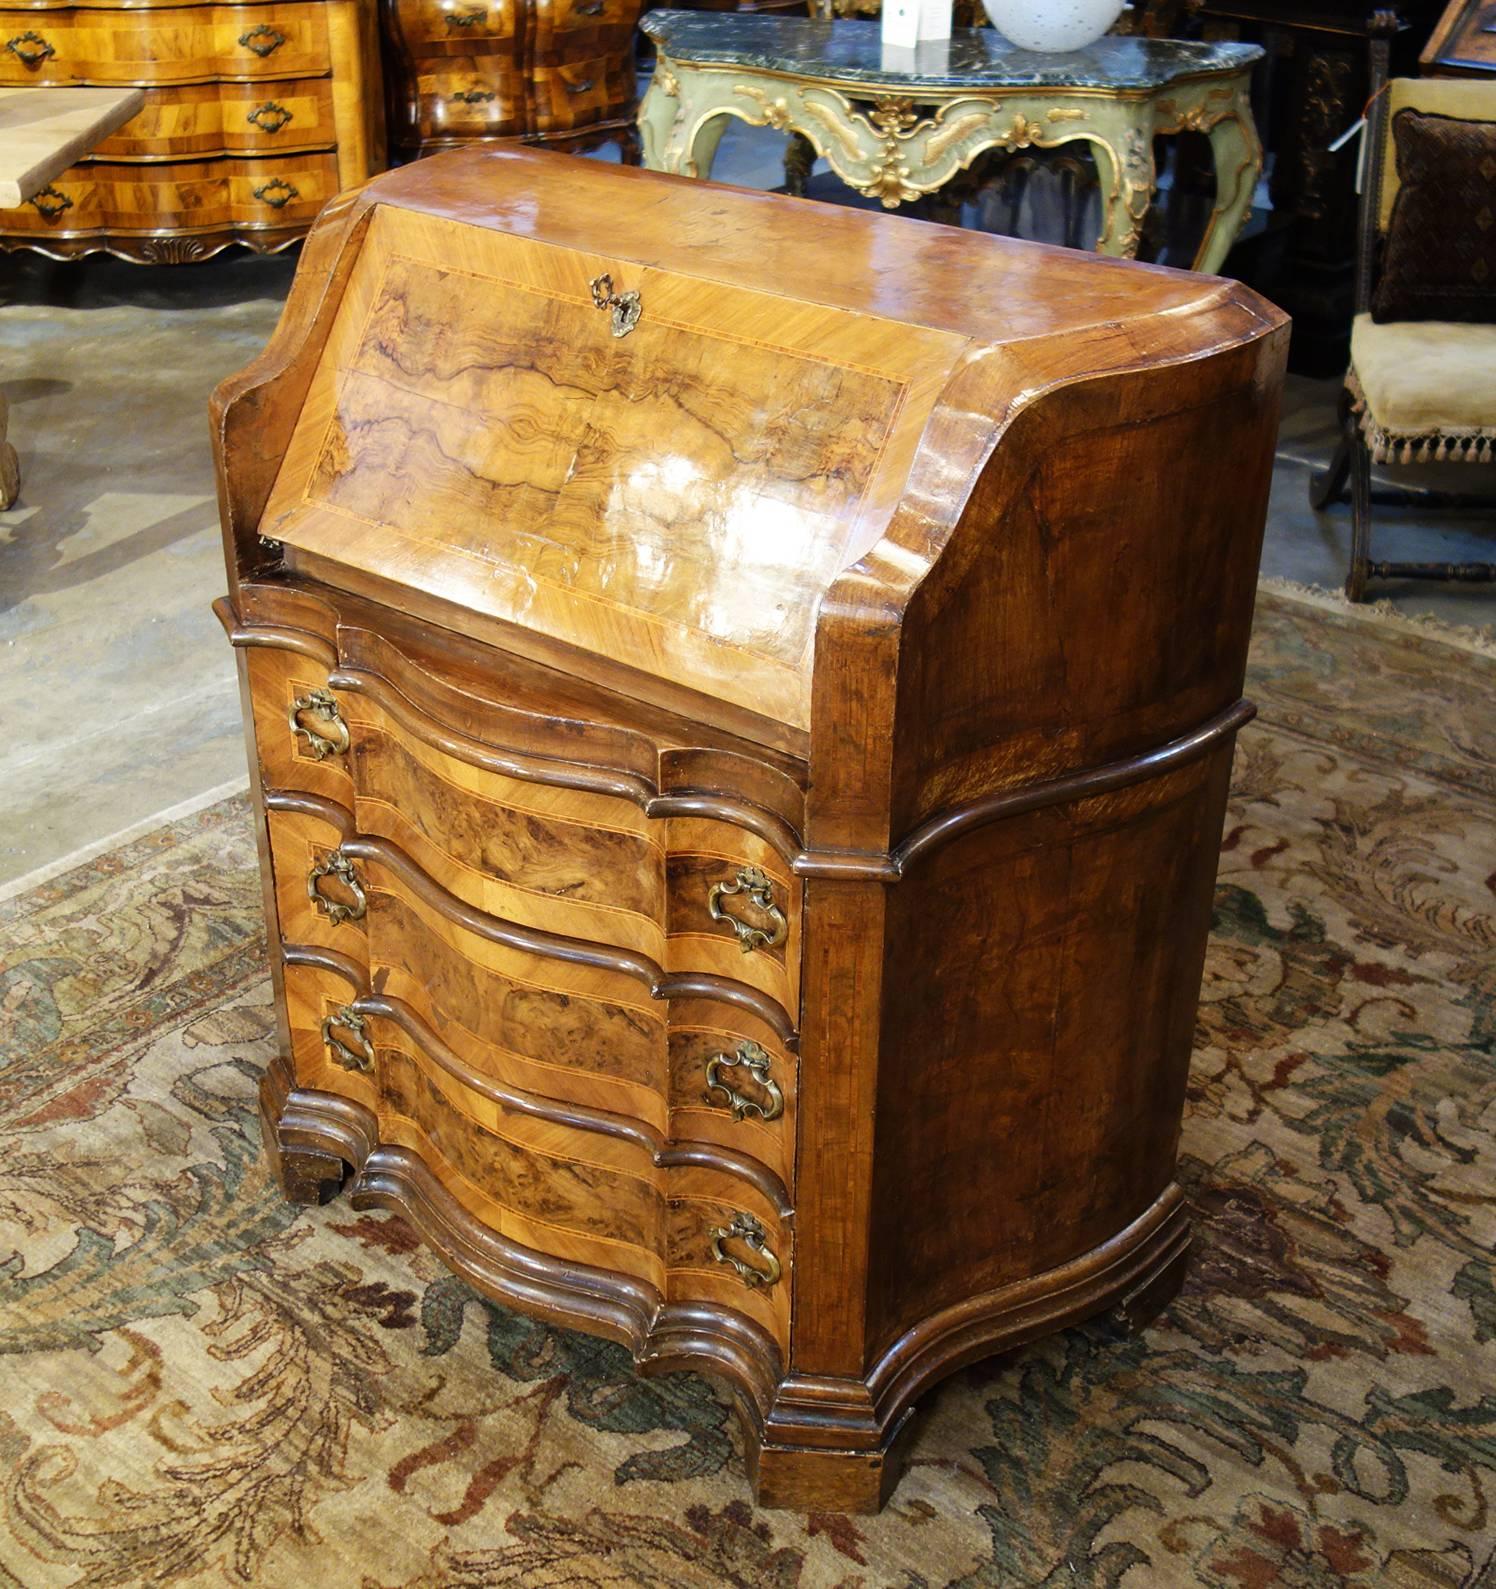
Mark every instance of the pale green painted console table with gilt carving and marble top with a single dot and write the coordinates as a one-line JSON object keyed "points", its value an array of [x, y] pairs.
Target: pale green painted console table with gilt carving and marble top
{"points": [[904, 128]]}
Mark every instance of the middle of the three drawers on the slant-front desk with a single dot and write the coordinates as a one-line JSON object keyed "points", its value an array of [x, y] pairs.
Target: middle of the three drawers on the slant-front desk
{"points": [[694, 1069]]}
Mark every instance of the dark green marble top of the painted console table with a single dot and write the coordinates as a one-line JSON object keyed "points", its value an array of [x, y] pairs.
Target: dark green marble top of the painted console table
{"points": [[850, 52]]}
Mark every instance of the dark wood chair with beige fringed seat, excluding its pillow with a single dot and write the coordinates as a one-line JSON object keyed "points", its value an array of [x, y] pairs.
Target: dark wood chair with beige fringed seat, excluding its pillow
{"points": [[1417, 392]]}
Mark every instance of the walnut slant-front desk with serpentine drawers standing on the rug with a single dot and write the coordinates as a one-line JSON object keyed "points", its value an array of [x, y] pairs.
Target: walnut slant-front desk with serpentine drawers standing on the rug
{"points": [[742, 765]]}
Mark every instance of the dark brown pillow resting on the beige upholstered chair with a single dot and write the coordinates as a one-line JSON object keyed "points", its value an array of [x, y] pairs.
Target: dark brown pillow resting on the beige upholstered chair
{"points": [[1440, 261]]}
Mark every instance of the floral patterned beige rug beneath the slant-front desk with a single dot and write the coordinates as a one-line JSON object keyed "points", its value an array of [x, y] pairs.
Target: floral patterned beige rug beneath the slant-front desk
{"points": [[207, 1386]]}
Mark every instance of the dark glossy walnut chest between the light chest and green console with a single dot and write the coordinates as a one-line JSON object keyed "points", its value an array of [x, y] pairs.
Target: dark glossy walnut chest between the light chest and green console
{"points": [[463, 71]]}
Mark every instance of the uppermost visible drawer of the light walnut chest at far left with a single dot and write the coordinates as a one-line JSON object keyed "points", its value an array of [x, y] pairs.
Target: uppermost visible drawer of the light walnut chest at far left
{"points": [[184, 45]]}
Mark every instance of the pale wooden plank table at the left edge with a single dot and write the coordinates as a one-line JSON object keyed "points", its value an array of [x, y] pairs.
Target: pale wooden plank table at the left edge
{"points": [[42, 133]]}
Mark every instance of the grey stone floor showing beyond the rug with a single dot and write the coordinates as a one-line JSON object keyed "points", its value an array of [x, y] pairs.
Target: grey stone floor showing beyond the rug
{"points": [[117, 689]]}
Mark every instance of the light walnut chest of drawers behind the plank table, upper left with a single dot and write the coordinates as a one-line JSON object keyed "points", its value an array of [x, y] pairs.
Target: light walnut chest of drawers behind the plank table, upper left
{"points": [[255, 117]]}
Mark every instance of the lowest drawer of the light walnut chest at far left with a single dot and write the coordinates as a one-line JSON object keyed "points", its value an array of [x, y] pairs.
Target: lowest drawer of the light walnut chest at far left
{"points": [[180, 196]]}
